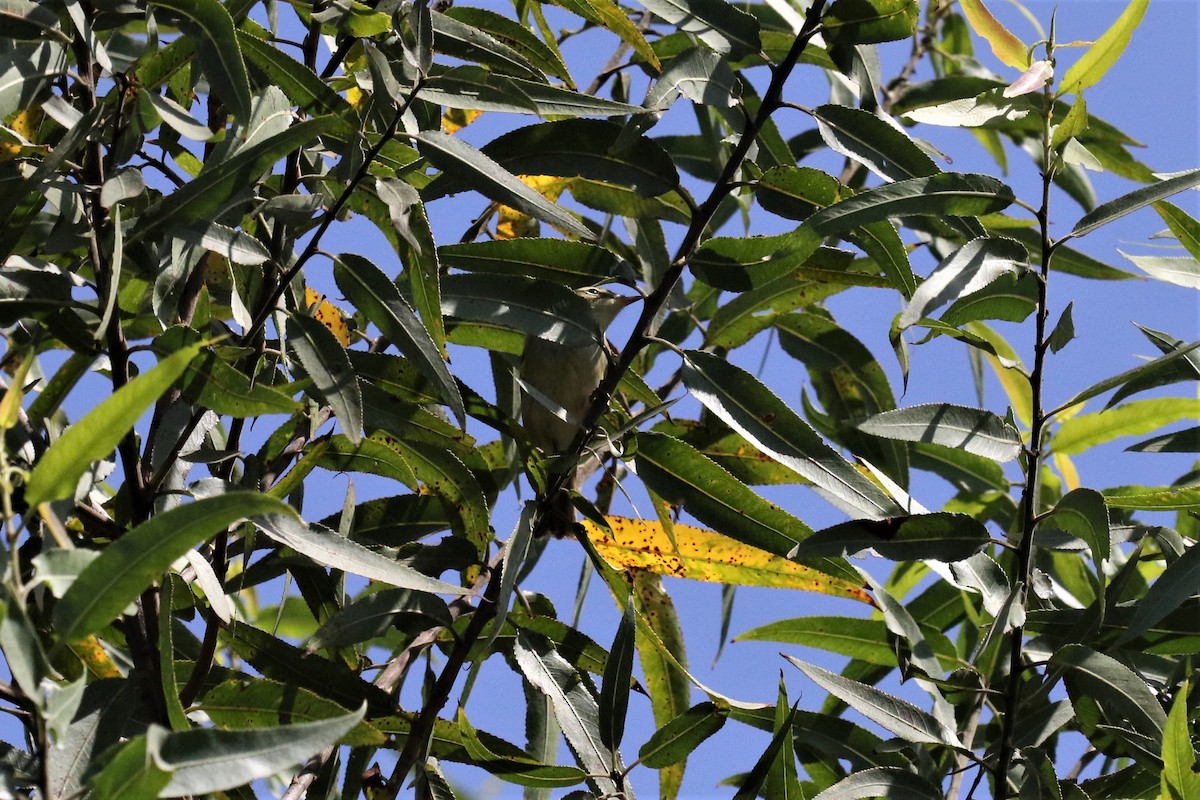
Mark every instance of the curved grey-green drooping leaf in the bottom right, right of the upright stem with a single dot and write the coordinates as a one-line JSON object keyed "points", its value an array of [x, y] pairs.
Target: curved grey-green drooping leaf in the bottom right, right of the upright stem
{"points": [[1124, 696]]}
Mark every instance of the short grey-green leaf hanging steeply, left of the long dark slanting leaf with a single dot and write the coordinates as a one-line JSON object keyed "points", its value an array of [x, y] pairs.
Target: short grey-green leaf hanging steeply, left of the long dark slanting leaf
{"points": [[327, 364]]}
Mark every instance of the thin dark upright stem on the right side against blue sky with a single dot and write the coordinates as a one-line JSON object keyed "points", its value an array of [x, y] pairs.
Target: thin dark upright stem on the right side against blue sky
{"points": [[1029, 506]]}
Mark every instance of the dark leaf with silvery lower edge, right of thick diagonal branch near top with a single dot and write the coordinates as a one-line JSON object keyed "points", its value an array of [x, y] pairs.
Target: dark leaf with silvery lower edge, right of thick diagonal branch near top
{"points": [[886, 151]]}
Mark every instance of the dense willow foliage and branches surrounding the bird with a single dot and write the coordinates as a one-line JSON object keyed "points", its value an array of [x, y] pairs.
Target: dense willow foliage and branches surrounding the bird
{"points": [[230, 279]]}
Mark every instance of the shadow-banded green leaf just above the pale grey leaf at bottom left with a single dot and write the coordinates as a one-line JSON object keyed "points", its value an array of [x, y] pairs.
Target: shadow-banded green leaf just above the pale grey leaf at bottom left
{"points": [[245, 702]]}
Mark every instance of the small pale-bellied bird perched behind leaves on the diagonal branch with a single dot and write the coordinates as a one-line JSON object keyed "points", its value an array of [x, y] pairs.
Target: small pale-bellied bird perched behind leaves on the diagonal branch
{"points": [[566, 377]]}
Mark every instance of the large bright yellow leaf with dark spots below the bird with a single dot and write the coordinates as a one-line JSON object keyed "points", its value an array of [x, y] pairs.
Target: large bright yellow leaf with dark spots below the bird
{"points": [[703, 555]]}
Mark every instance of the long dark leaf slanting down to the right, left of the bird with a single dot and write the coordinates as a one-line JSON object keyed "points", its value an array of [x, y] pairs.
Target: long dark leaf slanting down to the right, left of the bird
{"points": [[380, 300]]}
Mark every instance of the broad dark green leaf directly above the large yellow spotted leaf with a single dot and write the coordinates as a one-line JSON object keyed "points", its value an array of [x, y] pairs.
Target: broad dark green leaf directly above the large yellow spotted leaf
{"points": [[681, 476]]}
